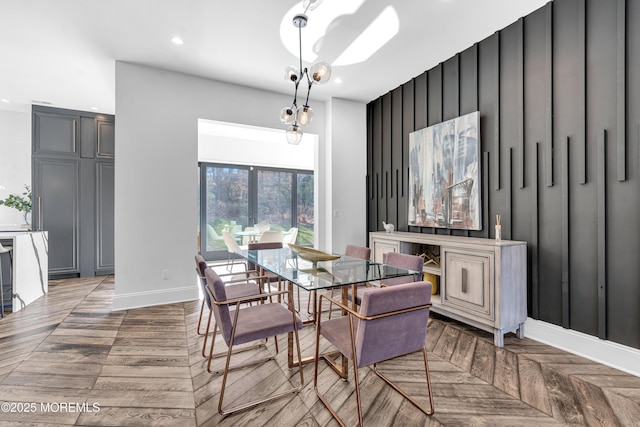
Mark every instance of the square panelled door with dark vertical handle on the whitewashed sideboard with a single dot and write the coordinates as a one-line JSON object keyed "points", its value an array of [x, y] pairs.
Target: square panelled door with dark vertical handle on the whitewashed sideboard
{"points": [[468, 278]]}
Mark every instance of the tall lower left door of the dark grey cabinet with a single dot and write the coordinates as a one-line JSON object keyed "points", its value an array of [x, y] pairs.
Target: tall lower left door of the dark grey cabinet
{"points": [[56, 207]]}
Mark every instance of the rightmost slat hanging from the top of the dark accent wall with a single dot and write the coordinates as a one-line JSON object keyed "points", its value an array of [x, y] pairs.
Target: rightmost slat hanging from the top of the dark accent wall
{"points": [[621, 112]]}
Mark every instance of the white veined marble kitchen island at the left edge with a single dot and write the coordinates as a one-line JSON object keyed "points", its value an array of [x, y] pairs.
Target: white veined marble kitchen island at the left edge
{"points": [[30, 269]]}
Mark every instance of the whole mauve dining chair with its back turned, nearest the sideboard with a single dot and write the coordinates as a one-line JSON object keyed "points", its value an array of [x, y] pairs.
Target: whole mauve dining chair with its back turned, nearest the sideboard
{"points": [[392, 322]]}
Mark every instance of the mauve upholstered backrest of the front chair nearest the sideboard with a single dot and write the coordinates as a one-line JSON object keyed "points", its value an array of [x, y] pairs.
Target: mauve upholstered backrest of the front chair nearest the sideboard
{"points": [[398, 334]]}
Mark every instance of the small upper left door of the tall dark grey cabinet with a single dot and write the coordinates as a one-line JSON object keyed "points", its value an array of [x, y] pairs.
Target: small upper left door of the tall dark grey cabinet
{"points": [[55, 134]]}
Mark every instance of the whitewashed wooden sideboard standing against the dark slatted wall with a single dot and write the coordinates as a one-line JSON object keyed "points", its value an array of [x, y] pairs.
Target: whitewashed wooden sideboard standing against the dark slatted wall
{"points": [[483, 282]]}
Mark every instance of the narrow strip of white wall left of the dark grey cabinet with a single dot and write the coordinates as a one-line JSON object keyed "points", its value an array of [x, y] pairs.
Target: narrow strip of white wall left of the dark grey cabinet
{"points": [[15, 161]]}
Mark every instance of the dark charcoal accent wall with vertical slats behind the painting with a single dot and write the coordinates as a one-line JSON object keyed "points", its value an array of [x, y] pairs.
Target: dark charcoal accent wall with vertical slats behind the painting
{"points": [[559, 98]]}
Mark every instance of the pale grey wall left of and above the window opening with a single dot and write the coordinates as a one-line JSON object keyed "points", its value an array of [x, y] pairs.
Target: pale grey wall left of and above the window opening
{"points": [[156, 173]]}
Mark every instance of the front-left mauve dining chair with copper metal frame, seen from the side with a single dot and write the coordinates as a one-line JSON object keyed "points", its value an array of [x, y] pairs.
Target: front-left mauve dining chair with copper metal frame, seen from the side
{"points": [[248, 324]]}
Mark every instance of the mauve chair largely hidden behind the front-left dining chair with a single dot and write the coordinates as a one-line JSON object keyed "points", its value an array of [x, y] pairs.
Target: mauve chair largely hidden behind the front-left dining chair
{"points": [[249, 285]]}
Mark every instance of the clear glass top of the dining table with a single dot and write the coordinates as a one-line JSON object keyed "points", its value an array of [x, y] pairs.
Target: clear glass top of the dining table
{"points": [[322, 274]]}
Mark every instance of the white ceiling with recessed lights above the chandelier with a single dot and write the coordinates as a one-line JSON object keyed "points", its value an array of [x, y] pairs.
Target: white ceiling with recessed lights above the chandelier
{"points": [[63, 52]]}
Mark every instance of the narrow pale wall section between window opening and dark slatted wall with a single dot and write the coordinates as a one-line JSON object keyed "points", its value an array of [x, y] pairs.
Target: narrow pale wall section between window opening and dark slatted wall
{"points": [[347, 127]]}
